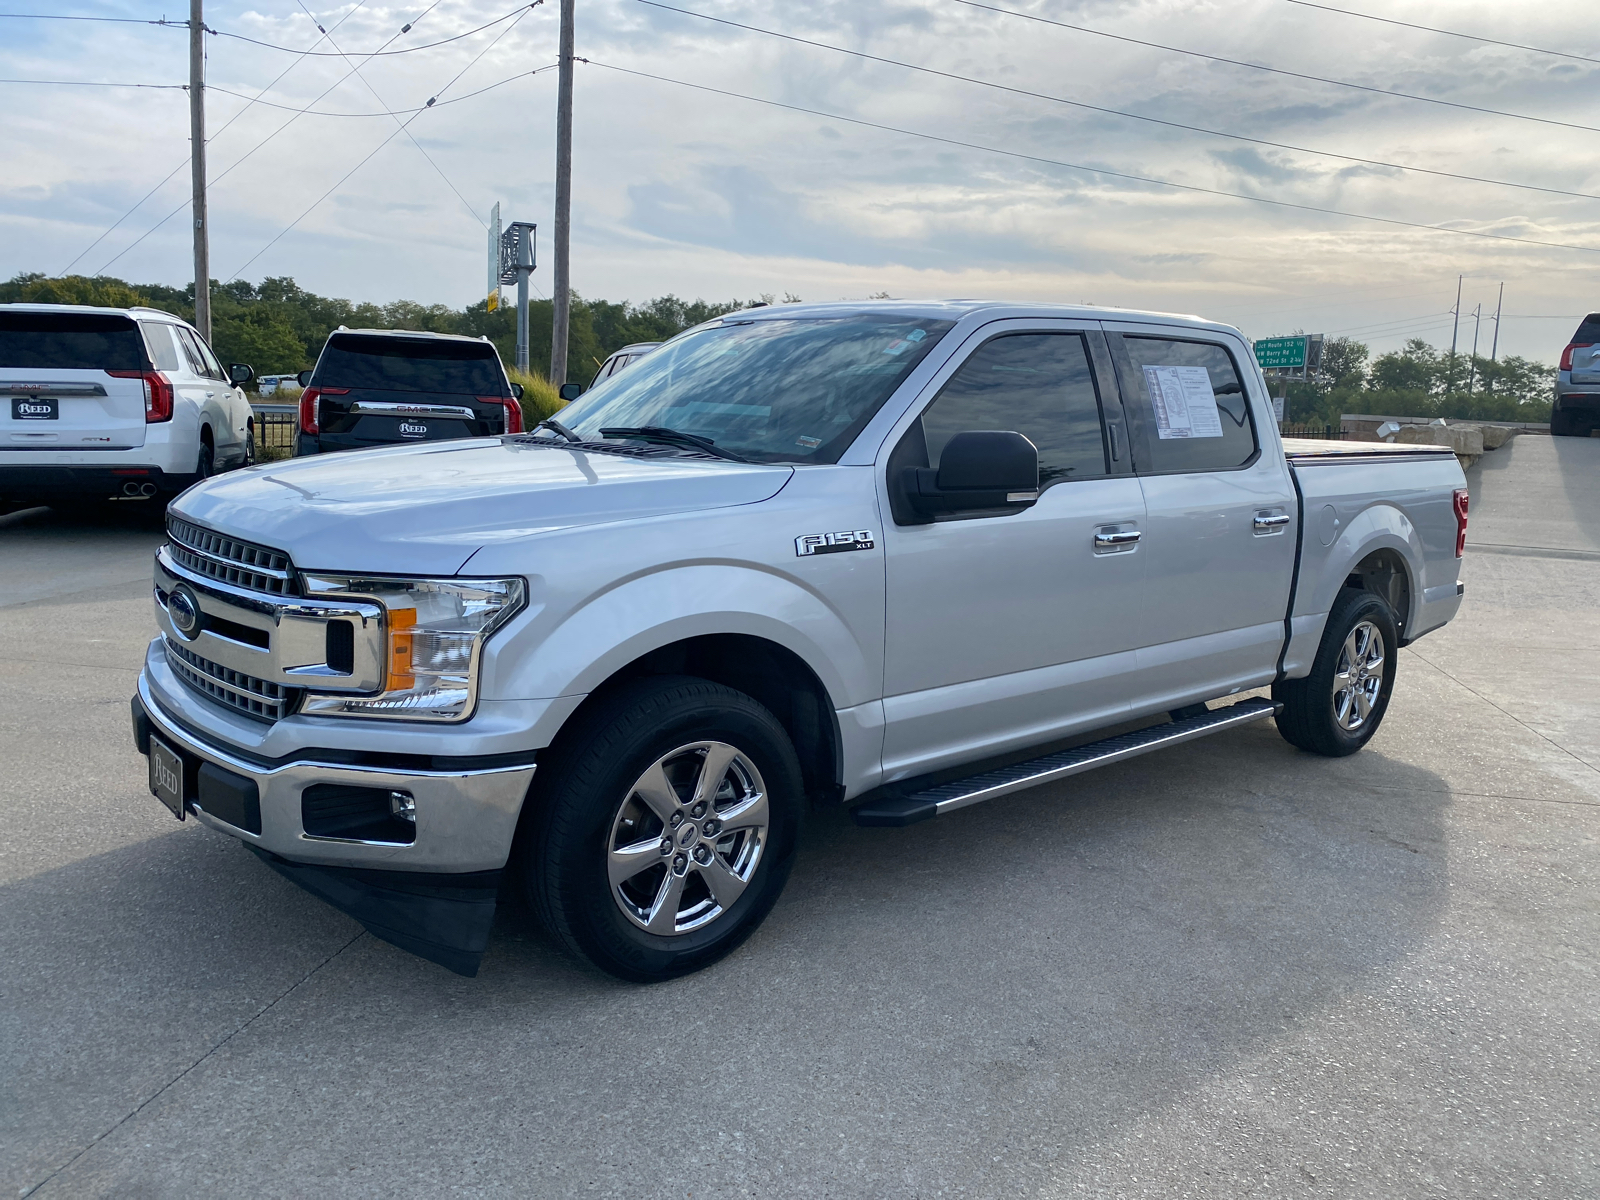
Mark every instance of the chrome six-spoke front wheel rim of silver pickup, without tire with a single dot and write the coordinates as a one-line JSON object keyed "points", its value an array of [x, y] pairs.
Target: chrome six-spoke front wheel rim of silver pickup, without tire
{"points": [[687, 839]]}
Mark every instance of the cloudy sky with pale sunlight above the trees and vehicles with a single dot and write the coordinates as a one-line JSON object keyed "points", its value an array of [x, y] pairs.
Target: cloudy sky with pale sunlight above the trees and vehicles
{"points": [[703, 194]]}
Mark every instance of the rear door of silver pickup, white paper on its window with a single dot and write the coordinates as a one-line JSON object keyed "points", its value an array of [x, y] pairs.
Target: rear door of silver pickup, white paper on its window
{"points": [[1220, 516]]}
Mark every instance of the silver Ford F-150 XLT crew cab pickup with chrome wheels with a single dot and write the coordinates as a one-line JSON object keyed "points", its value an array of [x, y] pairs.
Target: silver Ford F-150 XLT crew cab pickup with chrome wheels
{"points": [[897, 556]]}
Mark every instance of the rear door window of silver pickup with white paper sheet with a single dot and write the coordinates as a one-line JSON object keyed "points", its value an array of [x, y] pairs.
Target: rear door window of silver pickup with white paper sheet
{"points": [[1190, 401]]}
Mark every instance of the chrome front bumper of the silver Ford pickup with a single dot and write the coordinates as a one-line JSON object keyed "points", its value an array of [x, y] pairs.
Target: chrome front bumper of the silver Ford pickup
{"points": [[465, 818]]}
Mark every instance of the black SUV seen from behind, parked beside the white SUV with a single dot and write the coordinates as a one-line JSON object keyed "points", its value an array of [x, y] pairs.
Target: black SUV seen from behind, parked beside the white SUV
{"points": [[375, 388]]}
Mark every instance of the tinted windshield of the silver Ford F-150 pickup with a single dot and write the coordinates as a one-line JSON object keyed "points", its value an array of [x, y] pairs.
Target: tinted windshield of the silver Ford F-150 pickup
{"points": [[772, 390]]}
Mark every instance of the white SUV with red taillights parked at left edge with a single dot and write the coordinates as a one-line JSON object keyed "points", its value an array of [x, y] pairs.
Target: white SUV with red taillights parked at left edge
{"points": [[102, 404]]}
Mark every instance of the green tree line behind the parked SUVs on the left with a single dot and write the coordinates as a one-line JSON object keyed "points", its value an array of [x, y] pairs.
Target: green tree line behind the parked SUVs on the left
{"points": [[279, 329]]}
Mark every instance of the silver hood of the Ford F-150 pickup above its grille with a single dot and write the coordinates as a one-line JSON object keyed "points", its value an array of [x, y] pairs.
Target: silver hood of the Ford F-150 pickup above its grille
{"points": [[425, 510]]}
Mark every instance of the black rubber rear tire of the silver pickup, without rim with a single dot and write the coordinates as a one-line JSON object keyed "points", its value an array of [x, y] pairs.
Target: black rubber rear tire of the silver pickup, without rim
{"points": [[1311, 716]]}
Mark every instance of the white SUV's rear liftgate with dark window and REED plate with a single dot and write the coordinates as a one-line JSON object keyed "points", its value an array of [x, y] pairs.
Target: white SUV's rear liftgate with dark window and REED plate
{"points": [[58, 390]]}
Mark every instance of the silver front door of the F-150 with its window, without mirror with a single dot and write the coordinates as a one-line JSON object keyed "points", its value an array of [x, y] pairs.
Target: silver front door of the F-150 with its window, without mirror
{"points": [[1010, 630]]}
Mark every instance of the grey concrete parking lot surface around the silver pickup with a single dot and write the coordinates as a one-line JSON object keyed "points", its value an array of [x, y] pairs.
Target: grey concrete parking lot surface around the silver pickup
{"points": [[1231, 969]]}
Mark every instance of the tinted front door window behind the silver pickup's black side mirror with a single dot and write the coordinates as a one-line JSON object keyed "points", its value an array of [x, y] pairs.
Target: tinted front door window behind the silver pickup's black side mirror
{"points": [[1036, 385]]}
